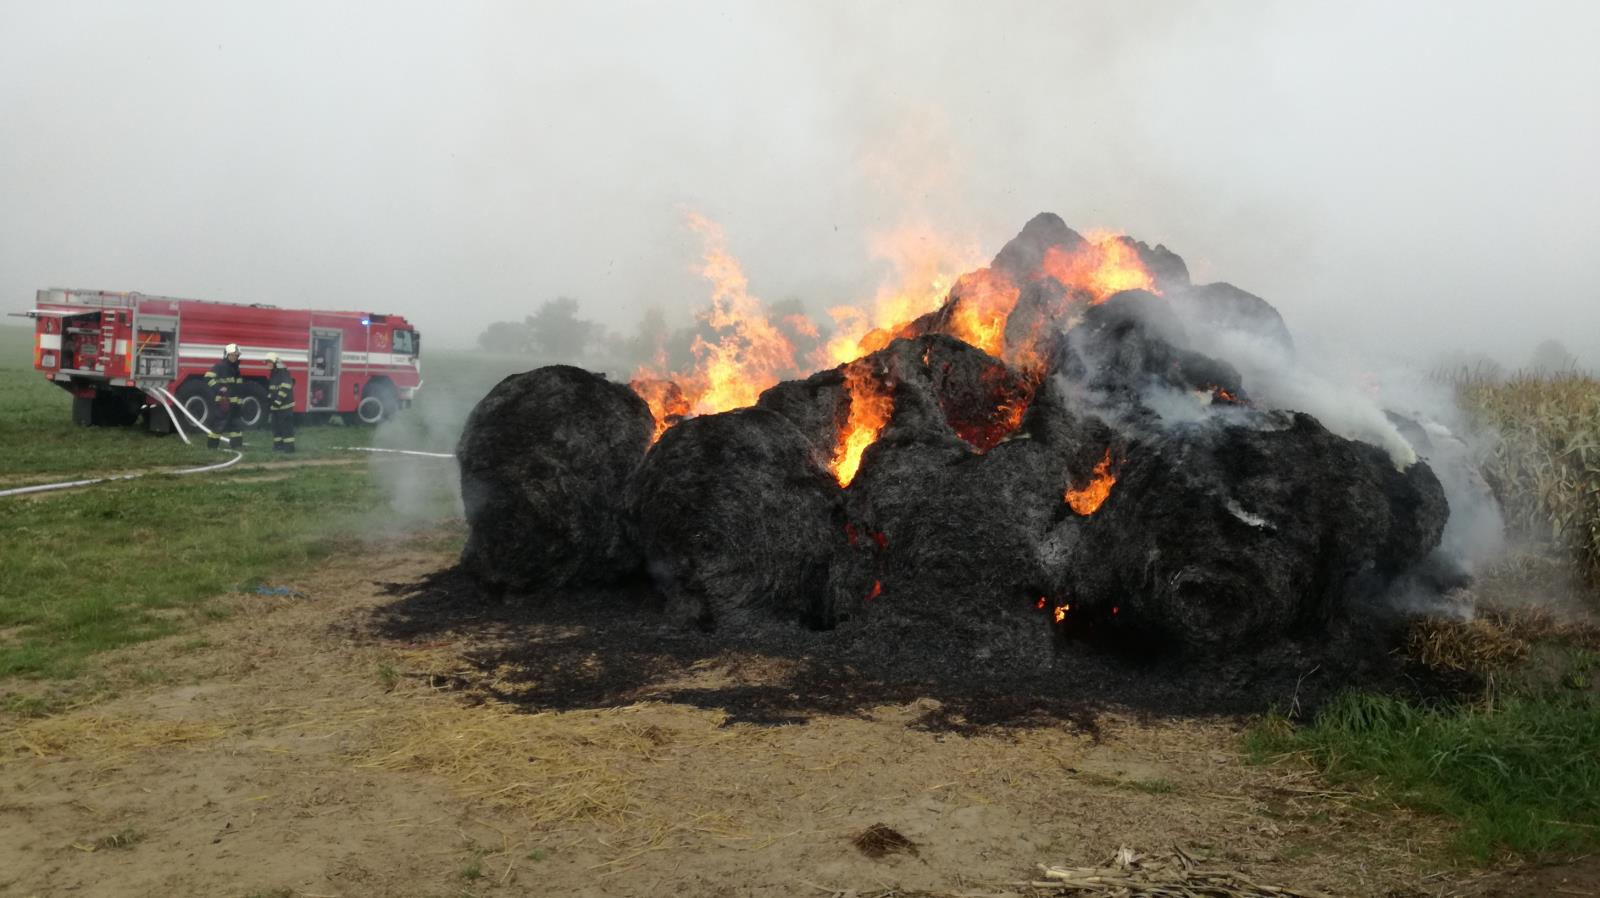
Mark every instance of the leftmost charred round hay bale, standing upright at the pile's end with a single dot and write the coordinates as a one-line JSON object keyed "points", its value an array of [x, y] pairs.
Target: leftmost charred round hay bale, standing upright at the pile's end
{"points": [[545, 460]]}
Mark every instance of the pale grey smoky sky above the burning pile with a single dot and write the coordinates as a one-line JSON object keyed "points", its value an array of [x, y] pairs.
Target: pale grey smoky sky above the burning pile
{"points": [[1401, 177]]}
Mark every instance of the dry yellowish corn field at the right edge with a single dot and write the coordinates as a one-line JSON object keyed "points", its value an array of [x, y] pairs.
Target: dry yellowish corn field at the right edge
{"points": [[1546, 463]]}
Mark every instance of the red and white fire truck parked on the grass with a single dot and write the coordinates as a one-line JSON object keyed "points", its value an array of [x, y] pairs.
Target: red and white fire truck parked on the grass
{"points": [[124, 356]]}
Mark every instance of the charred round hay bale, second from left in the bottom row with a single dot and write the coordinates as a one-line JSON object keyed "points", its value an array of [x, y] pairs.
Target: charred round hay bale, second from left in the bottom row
{"points": [[737, 521]]}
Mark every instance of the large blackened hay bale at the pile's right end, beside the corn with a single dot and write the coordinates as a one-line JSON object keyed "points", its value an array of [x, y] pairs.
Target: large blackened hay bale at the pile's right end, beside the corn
{"points": [[1222, 537]]}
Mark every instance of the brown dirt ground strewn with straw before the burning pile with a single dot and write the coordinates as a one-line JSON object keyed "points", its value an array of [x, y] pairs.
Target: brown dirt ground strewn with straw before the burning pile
{"points": [[290, 750]]}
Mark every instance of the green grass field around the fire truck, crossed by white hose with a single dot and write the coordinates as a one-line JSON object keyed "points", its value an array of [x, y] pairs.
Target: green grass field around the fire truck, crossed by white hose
{"points": [[114, 564]]}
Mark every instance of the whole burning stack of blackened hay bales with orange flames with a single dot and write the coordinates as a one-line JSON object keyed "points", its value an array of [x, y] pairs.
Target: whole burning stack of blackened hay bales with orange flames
{"points": [[1041, 457]]}
